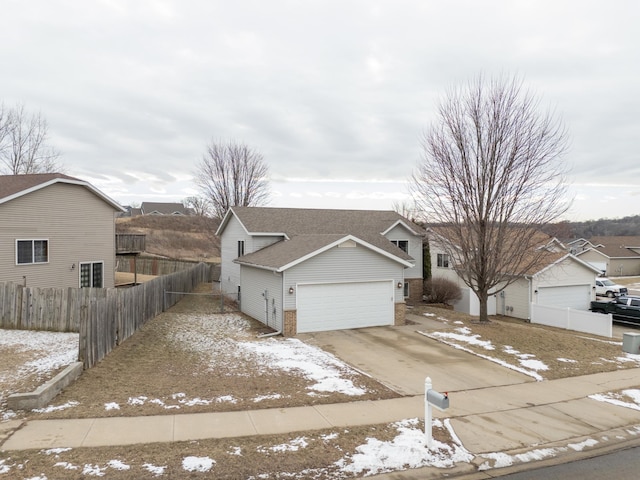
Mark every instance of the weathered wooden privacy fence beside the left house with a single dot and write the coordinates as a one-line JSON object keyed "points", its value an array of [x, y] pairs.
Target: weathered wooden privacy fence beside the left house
{"points": [[103, 317]]}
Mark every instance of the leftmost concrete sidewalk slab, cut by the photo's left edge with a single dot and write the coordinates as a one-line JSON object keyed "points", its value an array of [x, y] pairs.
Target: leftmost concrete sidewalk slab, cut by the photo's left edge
{"points": [[50, 434]]}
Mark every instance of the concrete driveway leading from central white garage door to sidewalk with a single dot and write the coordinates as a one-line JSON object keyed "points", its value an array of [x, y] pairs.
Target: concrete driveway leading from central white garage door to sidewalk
{"points": [[401, 358]]}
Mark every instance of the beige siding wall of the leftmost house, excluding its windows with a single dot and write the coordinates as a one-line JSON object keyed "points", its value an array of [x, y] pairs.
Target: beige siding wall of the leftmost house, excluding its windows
{"points": [[79, 226]]}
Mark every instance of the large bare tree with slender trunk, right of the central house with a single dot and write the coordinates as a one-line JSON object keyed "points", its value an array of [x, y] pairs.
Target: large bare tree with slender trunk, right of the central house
{"points": [[491, 177]]}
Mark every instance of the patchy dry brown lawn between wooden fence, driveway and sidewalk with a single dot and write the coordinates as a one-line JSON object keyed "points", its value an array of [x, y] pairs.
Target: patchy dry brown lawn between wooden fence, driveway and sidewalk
{"points": [[155, 364]]}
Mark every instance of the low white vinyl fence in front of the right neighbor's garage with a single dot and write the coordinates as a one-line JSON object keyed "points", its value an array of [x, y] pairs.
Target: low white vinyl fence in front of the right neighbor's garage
{"points": [[571, 319]]}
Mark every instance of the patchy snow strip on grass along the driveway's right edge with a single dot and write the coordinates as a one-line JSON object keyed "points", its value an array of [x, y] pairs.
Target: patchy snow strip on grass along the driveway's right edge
{"points": [[463, 335]]}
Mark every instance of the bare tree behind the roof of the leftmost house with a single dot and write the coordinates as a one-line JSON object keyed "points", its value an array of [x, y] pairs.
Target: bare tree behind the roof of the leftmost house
{"points": [[23, 143]]}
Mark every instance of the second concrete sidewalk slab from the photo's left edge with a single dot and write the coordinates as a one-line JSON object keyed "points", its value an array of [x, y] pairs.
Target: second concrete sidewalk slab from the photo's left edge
{"points": [[129, 430]]}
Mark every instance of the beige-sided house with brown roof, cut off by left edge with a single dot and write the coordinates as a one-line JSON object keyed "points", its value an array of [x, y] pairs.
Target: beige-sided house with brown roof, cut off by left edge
{"points": [[56, 231]]}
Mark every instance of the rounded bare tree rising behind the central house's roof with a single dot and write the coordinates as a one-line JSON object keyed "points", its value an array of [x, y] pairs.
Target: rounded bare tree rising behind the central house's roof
{"points": [[232, 174]]}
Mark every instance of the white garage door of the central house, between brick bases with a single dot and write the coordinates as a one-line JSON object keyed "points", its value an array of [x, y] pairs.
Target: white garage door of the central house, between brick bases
{"points": [[336, 306]]}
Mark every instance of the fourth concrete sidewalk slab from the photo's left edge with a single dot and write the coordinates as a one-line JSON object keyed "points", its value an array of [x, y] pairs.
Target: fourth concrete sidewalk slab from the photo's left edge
{"points": [[283, 420]]}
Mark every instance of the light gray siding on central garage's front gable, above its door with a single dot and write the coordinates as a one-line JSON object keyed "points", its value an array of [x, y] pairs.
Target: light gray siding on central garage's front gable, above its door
{"points": [[357, 264]]}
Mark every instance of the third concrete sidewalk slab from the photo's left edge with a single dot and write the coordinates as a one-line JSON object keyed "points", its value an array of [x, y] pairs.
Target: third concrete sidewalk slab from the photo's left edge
{"points": [[197, 426]]}
